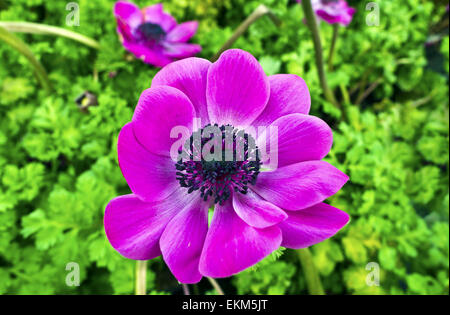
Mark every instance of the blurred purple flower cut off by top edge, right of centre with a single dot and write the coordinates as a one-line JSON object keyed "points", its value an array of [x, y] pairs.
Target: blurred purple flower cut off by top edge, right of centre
{"points": [[333, 11]]}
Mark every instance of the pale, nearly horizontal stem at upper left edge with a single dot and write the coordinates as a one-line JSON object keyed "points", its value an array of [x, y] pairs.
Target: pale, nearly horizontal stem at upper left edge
{"points": [[36, 28]]}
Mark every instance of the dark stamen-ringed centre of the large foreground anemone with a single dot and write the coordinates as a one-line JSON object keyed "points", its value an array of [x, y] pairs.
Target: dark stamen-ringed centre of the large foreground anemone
{"points": [[217, 161]]}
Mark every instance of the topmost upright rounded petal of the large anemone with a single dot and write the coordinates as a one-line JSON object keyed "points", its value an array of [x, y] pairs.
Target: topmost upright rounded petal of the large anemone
{"points": [[237, 89]]}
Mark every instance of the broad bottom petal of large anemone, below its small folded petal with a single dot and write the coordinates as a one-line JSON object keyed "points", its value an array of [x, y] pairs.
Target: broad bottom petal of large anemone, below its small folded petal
{"points": [[231, 245]]}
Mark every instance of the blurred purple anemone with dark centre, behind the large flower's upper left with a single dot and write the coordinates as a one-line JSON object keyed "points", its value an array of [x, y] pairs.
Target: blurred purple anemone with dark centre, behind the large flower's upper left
{"points": [[153, 35]]}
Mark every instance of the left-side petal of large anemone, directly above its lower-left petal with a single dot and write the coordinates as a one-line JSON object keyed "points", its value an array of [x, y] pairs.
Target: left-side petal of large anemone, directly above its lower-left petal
{"points": [[150, 176]]}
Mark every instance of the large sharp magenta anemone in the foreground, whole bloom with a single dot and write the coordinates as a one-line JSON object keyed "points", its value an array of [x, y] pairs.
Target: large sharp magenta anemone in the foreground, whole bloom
{"points": [[257, 207]]}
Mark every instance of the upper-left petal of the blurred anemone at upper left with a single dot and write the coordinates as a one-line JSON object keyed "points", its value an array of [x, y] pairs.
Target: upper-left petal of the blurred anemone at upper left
{"points": [[128, 16]]}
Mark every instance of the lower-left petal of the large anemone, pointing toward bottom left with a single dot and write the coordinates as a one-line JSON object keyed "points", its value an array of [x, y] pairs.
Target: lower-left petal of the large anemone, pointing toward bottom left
{"points": [[134, 227]]}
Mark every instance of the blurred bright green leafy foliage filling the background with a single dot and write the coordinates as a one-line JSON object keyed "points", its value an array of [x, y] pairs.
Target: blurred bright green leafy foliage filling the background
{"points": [[58, 165]]}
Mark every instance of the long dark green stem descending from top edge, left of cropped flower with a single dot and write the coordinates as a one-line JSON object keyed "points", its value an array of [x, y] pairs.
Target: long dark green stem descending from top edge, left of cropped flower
{"points": [[312, 24]]}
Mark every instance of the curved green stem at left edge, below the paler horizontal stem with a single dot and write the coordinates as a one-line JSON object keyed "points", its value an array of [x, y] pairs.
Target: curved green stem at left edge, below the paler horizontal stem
{"points": [[21, 47]]}
